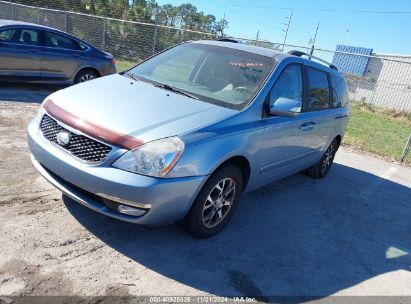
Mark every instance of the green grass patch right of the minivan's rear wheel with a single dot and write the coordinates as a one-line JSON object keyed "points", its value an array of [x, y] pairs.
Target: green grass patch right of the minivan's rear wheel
{"points": [[379, 131]]}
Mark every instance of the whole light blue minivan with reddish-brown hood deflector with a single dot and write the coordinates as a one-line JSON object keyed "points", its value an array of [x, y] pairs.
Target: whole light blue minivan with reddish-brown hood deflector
{"points": [[182, 135]]}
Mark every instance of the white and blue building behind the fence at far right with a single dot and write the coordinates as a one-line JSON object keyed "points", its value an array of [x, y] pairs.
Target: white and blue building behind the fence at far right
{"points": [[380, 79]]}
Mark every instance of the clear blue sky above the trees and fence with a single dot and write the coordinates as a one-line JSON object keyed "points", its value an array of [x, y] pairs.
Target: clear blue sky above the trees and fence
{"points": [[361, 23]]}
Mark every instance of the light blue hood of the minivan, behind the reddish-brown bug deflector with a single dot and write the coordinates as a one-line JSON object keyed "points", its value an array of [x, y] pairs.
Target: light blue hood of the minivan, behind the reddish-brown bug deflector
{"points": [[136, 108]]}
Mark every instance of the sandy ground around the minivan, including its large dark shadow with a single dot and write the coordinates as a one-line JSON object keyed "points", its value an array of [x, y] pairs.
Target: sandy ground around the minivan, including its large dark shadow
{"points": [[348, 234]]}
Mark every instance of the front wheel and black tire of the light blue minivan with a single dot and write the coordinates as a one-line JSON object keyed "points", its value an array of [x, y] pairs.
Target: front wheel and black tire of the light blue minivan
{"points": [[197, 222]]}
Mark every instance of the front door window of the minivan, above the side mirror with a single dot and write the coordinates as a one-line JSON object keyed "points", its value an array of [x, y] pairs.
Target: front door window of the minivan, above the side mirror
{"points": [[289, 85]]}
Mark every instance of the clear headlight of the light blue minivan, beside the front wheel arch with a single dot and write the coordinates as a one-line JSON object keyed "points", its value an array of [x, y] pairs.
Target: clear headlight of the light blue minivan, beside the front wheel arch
{"points": [[155, 158]]}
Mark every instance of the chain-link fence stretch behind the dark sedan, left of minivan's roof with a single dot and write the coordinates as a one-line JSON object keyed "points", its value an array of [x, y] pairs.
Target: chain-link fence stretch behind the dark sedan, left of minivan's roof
{"points": [[126, 40]]}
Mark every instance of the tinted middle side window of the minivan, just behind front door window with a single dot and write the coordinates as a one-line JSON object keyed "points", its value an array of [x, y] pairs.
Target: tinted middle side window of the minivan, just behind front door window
{"points": [[318, 90]]}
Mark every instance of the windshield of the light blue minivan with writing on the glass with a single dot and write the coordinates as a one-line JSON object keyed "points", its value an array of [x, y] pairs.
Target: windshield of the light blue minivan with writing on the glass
{"points": [[214, 74]]}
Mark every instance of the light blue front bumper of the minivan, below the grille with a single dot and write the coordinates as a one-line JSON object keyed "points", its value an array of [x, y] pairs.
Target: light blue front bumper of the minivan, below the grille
{"points": [[165, 200]]}
